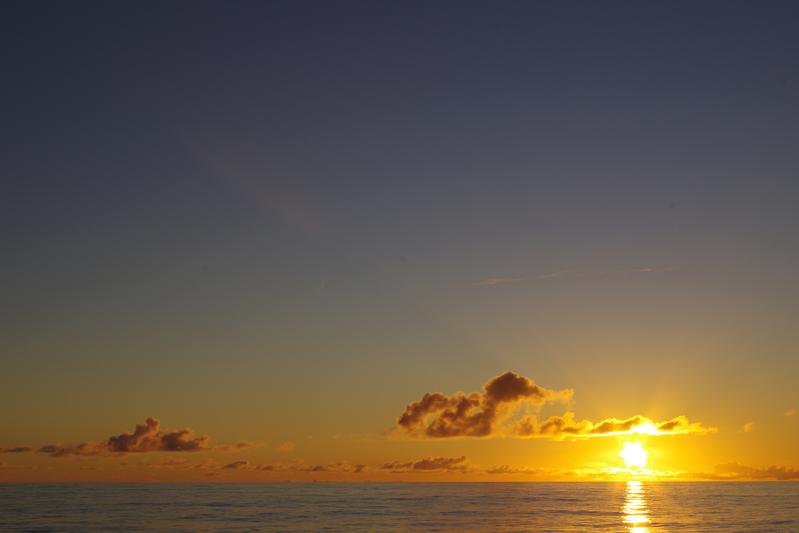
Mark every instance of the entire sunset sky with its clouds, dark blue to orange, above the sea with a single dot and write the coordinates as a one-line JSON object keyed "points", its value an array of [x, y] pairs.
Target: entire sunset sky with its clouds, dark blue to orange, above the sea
{"points": [[283, 224]]}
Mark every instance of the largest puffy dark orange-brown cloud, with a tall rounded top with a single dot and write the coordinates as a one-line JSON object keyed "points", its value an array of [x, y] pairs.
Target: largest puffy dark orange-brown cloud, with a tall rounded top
{"points": [[475, 414]]}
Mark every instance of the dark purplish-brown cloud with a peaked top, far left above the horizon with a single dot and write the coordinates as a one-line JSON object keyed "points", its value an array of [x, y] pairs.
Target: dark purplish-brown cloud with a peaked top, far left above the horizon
{"points": [[146, 437]]}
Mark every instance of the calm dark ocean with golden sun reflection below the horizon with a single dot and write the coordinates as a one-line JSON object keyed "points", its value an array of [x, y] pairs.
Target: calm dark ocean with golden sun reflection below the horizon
{"points": [[632, 506]]}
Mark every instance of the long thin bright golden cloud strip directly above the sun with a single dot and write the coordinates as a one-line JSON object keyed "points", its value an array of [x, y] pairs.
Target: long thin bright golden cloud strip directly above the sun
{"points": [[564, 426]]}
